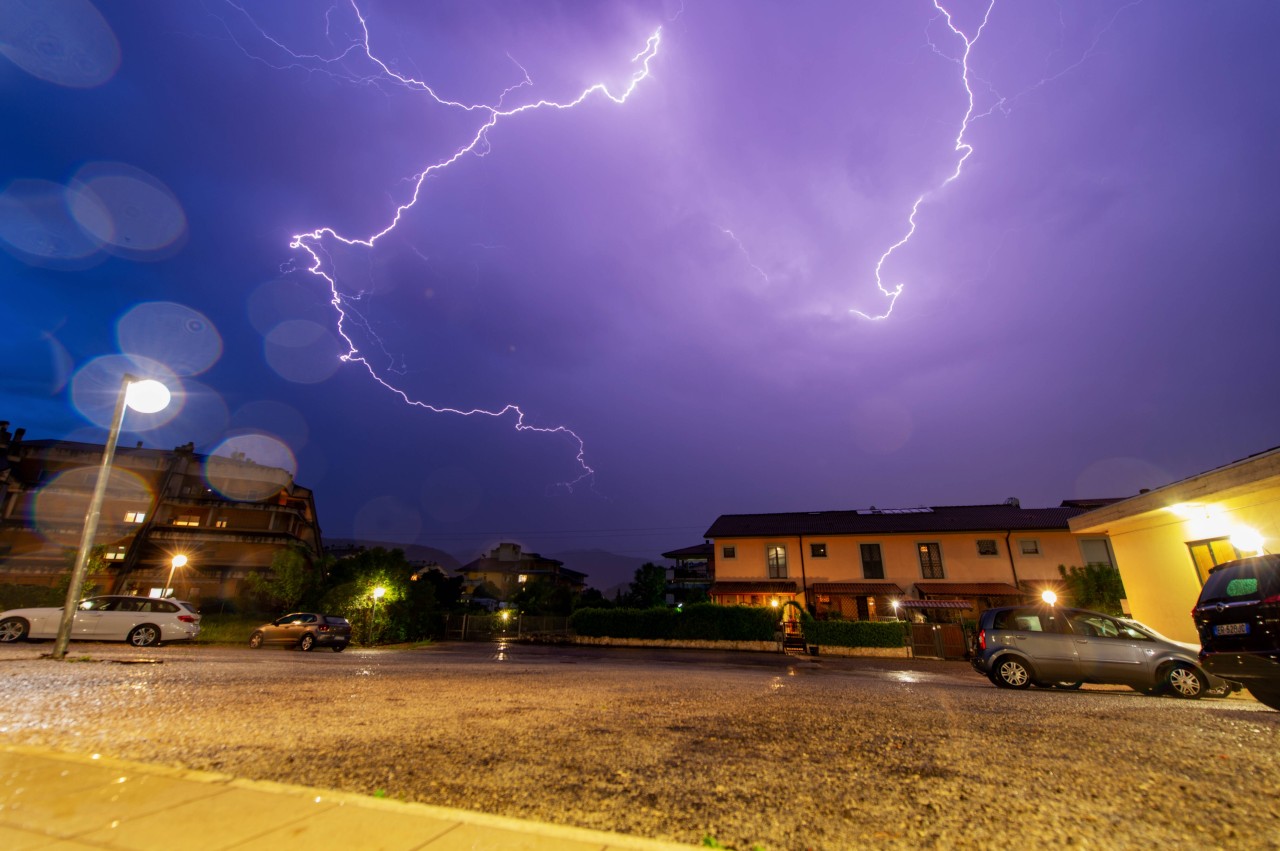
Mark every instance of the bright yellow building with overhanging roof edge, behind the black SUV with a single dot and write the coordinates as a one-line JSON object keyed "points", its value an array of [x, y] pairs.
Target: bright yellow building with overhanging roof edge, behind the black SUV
{"points": [[1168, 541]]}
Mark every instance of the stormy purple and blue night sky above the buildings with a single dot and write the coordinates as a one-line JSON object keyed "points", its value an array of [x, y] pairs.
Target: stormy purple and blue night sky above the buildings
{"points": [[683, 281]]}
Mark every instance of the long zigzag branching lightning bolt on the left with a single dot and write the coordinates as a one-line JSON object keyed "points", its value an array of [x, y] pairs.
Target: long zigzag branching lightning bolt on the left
{"points": [[316, 244]]}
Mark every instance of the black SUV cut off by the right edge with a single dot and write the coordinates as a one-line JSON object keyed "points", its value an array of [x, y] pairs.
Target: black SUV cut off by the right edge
{"points": [[1238, 619]]}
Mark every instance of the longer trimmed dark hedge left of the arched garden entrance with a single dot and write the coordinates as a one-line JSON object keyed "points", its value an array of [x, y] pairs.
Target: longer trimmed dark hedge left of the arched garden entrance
{"points": [[701, 621]]}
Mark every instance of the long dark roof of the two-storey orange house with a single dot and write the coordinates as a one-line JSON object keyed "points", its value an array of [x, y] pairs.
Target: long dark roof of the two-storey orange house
{"points": [[870, 521]]}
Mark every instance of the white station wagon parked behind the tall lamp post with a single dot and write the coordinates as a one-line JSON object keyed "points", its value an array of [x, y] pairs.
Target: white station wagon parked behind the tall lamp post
{"points": [[143, 621]]}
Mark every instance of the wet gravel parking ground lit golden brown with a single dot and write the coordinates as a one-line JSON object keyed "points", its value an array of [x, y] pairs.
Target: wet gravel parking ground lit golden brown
{"points": [[746, 749]]}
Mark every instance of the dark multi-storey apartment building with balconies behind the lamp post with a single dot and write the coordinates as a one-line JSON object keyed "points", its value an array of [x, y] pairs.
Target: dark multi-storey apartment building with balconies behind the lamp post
{"points": [[228, 516]]}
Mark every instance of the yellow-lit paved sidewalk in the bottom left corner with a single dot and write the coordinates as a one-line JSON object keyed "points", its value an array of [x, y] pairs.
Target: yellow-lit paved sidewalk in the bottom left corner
{"points": [[67, 802]]}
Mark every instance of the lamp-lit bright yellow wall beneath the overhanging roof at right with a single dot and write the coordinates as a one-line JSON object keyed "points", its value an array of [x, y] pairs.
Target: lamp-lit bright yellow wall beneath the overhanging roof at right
{"points": [[1153, 552]]}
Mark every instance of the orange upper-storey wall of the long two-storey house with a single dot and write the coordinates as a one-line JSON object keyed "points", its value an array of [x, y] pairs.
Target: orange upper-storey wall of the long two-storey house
{"points": [[961, 560]]}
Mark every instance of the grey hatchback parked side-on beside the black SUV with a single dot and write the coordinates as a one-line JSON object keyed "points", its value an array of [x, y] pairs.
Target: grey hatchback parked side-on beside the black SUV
{"points": [[1055, 647]]}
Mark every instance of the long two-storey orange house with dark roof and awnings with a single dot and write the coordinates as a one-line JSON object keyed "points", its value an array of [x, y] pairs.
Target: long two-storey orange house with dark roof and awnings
{"points": [[883, 564]]}
